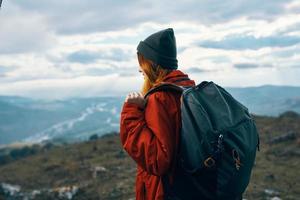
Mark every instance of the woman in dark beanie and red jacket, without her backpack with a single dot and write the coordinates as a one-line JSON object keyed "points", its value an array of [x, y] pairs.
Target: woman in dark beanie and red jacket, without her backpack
{"points": [[149, 130]]}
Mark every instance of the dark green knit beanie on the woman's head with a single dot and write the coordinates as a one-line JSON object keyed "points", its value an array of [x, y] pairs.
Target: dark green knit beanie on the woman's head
{"points": [[160, 47]]}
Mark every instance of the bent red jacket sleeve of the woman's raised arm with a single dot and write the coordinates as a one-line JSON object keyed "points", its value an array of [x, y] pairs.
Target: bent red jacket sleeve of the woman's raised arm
{"points": [[149, 135]]}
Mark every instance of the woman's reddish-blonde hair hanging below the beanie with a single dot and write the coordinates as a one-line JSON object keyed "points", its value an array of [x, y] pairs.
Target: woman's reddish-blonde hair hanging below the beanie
{"points": [[154, 73]]}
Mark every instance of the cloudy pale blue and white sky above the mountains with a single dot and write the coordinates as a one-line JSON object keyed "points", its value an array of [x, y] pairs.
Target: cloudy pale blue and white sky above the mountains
{"points": [[65, 48]]}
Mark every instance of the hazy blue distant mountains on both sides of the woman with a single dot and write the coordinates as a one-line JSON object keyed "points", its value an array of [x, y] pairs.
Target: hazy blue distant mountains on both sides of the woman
{"points": [[30, 120]]}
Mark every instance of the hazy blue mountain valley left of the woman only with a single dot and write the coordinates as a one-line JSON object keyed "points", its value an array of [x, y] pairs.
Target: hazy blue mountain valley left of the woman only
{"points": [[23, 119]]}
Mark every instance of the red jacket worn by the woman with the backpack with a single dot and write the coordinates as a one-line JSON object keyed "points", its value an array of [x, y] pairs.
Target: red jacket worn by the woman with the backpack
{"points": [[150, 136]]}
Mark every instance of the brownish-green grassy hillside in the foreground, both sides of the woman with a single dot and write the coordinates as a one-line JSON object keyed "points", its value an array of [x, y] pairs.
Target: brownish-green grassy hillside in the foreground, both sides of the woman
{"points": [[100, 169]]}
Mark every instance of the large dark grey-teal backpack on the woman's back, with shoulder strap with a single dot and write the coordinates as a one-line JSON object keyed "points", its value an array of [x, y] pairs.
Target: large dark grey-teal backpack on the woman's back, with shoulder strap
{"points": [[218, 143]]}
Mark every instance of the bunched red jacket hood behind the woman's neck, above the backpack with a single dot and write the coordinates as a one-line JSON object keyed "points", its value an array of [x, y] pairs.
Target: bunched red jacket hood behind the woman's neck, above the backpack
{"points": [[179, 78]]}
